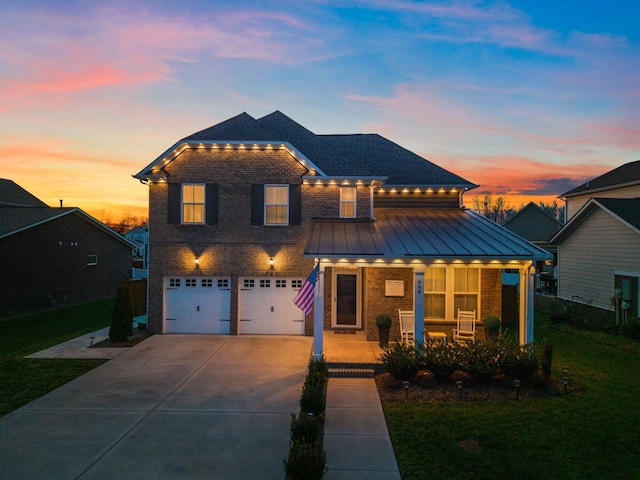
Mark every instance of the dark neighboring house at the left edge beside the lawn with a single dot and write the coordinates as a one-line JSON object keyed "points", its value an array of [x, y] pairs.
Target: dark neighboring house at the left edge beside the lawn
{"points": [[53, 256]]}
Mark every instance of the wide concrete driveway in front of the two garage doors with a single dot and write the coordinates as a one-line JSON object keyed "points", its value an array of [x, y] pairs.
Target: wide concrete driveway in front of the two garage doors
{"points": [[174, 406]]}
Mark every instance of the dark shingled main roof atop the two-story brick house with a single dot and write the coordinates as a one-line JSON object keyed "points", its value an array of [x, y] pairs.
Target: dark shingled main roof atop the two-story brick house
{"points": [[335, 155]]}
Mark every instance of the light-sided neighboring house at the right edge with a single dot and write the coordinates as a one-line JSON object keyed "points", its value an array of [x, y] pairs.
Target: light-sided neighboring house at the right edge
{"points": [[599, 247]]}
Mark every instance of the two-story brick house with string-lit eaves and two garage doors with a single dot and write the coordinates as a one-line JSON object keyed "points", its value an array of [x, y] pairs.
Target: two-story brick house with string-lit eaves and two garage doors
{"points": [[241, 212]]}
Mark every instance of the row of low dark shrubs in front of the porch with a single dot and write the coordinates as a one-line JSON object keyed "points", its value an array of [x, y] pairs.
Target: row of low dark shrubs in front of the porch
{"points": [[426, 388]]}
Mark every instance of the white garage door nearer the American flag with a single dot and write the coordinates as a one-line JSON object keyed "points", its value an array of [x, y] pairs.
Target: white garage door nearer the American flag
{"points": [[266, 306]]}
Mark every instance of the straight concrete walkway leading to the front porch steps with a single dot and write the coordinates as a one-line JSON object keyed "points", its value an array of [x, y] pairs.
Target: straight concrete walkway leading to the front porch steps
{"points": [[356, 439]]}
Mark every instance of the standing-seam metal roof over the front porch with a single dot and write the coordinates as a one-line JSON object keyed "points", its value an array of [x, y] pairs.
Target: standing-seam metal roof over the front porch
{"points": [[420, 233]]}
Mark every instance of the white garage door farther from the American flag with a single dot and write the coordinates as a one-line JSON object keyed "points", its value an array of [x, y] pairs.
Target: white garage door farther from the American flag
{"points": [[197, 304]]}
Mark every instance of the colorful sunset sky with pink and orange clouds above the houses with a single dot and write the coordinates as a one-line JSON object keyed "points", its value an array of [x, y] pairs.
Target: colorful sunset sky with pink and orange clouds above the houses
{"points": [[526, 98]]}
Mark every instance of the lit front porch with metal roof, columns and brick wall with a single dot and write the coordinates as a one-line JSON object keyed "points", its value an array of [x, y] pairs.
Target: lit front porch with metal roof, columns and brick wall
{"points": [[433, 263]]}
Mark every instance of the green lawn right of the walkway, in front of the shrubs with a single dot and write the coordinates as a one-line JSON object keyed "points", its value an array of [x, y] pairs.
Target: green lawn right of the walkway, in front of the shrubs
{"points": [[592, 433]]}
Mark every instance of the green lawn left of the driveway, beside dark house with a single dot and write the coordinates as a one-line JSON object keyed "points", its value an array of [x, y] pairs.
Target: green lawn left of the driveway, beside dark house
{"points": [[22, 379]]}
